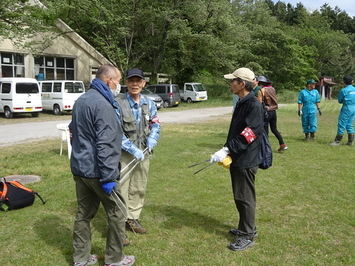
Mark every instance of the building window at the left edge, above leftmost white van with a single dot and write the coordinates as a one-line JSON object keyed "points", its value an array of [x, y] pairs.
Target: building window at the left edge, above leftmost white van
{"points": [[12, 65]]}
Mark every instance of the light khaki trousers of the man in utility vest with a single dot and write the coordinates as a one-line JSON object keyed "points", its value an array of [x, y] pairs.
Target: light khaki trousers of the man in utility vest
{"points": [[133, 188]]}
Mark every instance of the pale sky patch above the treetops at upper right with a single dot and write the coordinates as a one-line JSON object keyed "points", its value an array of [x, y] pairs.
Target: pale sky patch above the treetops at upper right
{"points": [[347, 5]]}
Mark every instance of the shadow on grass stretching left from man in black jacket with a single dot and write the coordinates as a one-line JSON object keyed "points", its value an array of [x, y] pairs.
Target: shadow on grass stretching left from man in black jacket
{"points": [[174, 218]]}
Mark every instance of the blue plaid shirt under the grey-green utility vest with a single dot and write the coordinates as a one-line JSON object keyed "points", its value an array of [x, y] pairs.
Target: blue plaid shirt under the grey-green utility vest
{"points": [[154, 123]]}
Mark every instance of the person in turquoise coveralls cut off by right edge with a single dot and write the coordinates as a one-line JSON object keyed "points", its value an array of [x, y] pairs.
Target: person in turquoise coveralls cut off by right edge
{"points": [[347, 113]]}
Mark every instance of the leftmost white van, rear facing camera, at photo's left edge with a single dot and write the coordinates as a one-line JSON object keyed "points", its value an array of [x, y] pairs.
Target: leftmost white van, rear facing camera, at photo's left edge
{"points": [[20, 95]]}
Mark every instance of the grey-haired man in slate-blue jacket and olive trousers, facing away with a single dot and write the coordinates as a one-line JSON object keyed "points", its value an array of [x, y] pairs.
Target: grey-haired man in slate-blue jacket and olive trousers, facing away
{"points": [[96, 151]]}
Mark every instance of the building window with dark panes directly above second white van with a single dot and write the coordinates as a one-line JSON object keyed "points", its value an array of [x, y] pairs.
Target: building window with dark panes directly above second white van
{"points": [[54, 68]]}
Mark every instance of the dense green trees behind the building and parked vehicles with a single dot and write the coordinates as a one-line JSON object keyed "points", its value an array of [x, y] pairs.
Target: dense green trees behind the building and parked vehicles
{"points": [[201, 40]]}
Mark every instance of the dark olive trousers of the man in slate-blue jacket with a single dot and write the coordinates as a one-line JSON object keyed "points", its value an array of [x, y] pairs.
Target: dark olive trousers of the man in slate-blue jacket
{"points": [[89, 195]]}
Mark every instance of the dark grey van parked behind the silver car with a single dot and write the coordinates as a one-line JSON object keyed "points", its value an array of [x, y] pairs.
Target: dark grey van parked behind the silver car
{"points": [[168, 92]]}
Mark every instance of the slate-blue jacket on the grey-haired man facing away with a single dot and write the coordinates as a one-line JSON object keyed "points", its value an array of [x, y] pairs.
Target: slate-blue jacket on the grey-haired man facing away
{"points": [[96, 137]]}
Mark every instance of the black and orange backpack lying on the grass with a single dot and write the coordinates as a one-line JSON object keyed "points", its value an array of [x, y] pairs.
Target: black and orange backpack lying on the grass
{"points": [[14, 195]]}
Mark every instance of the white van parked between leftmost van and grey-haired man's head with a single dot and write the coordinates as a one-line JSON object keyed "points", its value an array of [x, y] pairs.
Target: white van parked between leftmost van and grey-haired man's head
{"points": [[60, 95]]}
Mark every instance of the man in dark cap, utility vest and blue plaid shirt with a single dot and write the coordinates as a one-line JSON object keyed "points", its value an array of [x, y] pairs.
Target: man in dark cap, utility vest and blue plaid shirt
{"points": [[141, 128]]}
